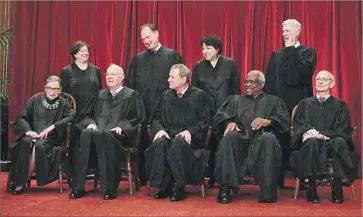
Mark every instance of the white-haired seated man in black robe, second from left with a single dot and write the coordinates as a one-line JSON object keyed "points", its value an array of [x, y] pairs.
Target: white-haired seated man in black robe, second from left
{"points": [[109, 122]]}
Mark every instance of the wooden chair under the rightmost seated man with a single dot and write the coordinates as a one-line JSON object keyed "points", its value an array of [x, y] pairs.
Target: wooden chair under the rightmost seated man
{"points": [[326, 178]]}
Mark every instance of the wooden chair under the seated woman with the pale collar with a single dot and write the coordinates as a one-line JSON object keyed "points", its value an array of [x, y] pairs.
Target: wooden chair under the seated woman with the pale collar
{"points": [[64, 170]]}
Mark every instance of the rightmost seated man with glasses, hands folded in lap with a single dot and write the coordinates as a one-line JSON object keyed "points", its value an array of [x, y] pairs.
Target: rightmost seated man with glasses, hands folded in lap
{"points": [[323, 129]]}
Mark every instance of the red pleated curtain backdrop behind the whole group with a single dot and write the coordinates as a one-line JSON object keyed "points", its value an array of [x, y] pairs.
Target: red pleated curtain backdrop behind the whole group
{"points": [[251, 30]]}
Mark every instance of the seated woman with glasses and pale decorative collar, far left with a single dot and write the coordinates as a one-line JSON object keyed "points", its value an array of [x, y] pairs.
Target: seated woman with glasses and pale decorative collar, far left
{"points": [[39, 130]]}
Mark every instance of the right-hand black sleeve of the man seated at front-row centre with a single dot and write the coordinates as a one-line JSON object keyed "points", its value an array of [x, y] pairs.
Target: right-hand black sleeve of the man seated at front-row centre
{"points": [[203, 115]]}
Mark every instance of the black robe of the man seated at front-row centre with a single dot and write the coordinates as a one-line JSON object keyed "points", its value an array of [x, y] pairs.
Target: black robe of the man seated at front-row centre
{"points": [[175, 115]]}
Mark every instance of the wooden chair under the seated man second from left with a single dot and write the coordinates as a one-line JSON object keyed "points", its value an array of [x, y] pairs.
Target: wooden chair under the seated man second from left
{"points": [[131, 168]]}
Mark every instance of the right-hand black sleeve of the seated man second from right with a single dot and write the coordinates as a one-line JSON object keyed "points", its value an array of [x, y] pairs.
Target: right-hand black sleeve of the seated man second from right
{"points": [[279, 118]]}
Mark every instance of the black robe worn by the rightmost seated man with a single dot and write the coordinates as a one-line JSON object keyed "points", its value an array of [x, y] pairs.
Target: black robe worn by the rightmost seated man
{"points": [[330, 118]]}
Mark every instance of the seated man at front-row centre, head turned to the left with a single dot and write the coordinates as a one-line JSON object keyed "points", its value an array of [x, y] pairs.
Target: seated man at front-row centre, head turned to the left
{"points": [[177, 155]]}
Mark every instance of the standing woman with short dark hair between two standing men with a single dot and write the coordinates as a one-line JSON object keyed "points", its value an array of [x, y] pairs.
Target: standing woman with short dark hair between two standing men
{"points": [[218, 76]]}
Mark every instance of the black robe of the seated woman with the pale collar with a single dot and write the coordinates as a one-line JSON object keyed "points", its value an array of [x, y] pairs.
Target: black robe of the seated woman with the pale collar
{"points": [[35, 117]]}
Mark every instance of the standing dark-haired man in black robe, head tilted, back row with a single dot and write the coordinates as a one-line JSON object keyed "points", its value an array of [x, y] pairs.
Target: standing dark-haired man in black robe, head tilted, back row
{"points": [[148, 74]]}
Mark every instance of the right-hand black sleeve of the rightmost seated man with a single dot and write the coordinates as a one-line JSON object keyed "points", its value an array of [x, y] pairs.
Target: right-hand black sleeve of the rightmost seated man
{"points": [[342, 126]]}
